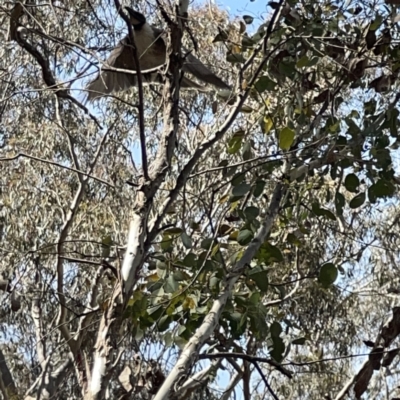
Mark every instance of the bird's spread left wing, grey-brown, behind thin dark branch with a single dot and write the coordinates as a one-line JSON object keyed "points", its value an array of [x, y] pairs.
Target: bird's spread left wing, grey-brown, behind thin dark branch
{"points": [[113, 81]]}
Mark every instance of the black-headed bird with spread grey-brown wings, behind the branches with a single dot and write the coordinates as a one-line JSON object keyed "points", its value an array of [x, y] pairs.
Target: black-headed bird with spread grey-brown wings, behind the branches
{"points": [[152, 53]]}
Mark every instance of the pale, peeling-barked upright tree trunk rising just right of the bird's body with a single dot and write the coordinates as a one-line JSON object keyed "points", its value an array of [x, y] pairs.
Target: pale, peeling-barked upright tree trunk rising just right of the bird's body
{"points": [[135, 254]]}
